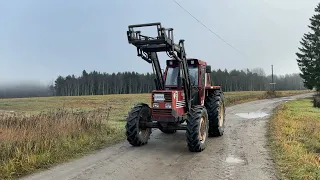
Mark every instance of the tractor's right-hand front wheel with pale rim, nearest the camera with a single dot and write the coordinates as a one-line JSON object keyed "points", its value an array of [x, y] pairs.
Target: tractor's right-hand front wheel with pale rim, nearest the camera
{"points": [[197, 129]]}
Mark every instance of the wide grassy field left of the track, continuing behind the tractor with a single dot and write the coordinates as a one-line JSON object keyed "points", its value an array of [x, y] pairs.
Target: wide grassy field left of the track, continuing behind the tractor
{"points": [[37, 133]]}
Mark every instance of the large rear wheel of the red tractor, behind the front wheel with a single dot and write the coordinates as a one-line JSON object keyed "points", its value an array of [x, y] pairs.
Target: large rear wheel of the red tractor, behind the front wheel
{"points": [[216, 112]]}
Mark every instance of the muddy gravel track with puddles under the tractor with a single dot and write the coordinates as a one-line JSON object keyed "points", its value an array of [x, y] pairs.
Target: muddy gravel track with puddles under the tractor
{"points": [[240, 154]]}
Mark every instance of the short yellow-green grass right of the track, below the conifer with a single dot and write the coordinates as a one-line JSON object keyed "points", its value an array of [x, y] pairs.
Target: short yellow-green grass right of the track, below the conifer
{"points": [[294, 134]]}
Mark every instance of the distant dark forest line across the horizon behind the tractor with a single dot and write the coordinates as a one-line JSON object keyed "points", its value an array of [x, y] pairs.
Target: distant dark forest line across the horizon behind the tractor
{"points": [[96, 83]]}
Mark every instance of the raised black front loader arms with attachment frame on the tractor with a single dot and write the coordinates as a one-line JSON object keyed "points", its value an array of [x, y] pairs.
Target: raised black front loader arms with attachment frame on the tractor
{"points": [[147, 48]]}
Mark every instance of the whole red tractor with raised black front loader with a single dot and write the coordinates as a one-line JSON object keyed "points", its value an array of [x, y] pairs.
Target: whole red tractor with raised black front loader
{"points": [[183, 93]]}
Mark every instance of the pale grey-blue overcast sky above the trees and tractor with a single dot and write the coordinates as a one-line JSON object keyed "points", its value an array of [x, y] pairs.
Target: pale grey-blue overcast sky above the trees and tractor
{"points": [[41, 39]]}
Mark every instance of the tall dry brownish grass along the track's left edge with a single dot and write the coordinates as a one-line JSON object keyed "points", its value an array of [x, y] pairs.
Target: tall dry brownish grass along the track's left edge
{"points": [[30, 143]]}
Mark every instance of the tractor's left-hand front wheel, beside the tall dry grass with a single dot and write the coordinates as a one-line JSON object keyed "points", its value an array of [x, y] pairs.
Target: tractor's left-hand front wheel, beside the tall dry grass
{"points": [[136, 135]]}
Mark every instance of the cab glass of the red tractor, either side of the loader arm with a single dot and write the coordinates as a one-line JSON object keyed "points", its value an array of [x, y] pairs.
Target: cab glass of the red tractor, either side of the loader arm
{"points": [[172, 74]]}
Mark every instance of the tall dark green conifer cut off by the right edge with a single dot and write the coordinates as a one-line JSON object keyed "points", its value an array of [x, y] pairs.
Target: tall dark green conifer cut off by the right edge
{"points": [[308, 57]]}
